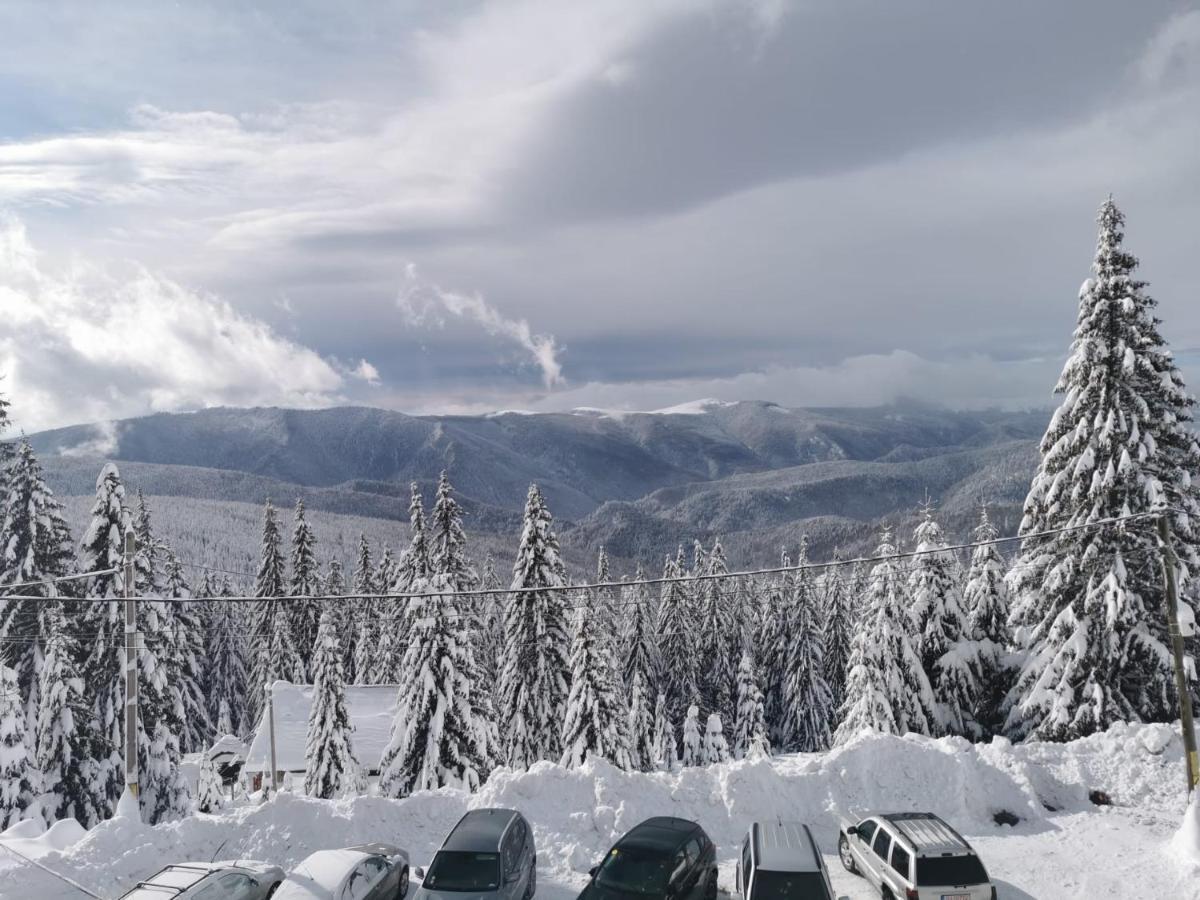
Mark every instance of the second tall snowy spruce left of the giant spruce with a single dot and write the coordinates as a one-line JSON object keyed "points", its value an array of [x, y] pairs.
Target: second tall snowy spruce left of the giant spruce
{"points": [[941, 626]]}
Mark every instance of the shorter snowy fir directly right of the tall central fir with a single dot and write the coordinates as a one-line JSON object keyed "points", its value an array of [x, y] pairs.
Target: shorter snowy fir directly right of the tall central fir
{"points": [[595, 724]]}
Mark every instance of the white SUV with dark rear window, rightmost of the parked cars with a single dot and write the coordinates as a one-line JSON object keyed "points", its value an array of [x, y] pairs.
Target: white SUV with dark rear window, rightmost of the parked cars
{"points": [[914, 856]]}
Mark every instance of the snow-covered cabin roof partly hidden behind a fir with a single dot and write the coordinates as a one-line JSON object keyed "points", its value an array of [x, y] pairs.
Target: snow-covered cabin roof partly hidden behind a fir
{"points": [[371, 709]]}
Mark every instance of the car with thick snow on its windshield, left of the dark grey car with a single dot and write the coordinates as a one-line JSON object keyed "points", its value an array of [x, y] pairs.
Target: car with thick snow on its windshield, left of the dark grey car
{"points": [[369, 872]]}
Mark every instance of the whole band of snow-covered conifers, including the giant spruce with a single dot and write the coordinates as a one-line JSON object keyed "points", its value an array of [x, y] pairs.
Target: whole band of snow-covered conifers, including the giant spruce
{"points": [[685, 667]]}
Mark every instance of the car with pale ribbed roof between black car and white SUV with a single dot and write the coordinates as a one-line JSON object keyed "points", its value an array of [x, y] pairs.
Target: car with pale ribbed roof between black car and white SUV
{"points": [[781, 861]]}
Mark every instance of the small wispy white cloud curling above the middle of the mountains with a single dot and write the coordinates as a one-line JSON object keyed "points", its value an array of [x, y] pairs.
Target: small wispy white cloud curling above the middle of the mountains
{"points": [[423, 303]]}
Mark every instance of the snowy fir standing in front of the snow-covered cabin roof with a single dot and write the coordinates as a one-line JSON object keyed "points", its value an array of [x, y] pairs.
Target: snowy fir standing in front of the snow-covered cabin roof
{"points": [[333, 770]]}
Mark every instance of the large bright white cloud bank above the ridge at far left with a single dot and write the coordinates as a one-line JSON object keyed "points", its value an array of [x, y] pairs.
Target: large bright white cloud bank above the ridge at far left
{"points": [[86, 345]]}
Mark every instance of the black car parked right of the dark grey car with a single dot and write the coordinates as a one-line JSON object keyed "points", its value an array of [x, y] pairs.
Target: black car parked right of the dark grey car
{"points": [[663, 857]]}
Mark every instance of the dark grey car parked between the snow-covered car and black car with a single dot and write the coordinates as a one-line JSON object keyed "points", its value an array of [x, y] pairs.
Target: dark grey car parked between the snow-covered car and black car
{"points": [[489, 856]]}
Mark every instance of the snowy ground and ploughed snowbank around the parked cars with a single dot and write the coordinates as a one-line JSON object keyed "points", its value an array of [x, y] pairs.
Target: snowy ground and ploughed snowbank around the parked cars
{"points": [[1076, 850]]}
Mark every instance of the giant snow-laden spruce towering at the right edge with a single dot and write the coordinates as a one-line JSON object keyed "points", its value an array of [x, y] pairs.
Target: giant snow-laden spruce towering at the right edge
{"points": [[1087, 602]]}
